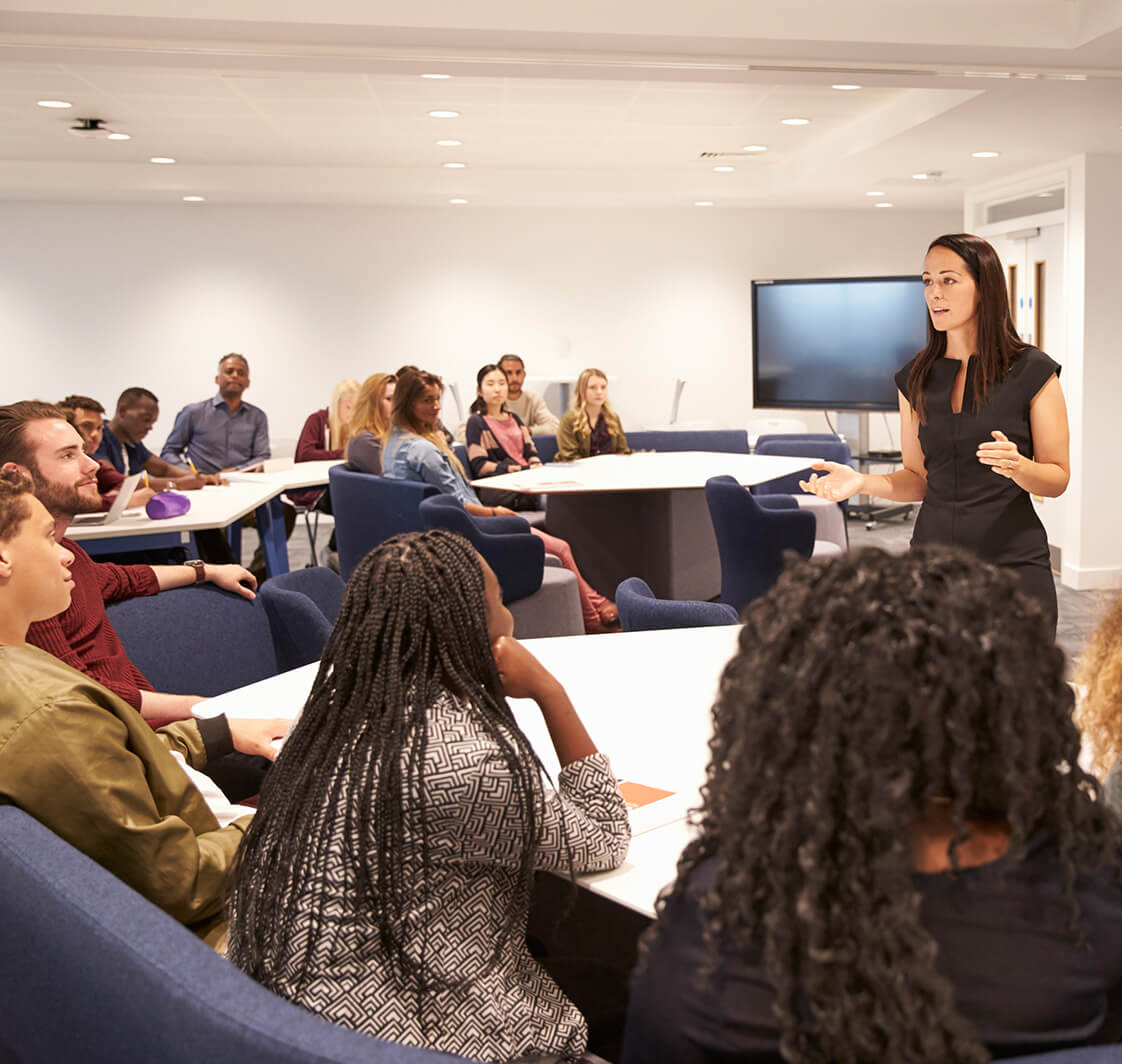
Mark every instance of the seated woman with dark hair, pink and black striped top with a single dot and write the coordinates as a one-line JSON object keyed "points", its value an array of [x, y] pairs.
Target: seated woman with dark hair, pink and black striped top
{"points": [[499, 442]]}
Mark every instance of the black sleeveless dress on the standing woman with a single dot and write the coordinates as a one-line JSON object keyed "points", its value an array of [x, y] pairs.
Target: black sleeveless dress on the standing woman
{"points": [[968, 505]]}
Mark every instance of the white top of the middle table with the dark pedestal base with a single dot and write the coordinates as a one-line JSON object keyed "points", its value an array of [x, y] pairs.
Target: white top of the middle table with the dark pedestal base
{"points": [[663, 471]]}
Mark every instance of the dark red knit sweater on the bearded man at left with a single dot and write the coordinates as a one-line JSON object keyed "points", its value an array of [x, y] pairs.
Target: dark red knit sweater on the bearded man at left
{"points": [[84, 637]]}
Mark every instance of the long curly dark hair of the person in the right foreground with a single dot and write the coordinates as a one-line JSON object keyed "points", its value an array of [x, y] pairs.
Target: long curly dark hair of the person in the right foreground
{"points": [[862, 691]]}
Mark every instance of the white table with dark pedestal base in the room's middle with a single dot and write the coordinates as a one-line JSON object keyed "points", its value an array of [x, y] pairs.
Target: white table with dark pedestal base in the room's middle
{"points": [[643, 516]]}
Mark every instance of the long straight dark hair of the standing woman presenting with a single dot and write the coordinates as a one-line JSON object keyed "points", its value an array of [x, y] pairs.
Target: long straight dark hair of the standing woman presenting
{"points": [[999, 345]]}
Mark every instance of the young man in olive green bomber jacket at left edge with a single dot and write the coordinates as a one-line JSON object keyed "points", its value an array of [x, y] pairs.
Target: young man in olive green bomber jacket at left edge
{"points": [[84, 764]]}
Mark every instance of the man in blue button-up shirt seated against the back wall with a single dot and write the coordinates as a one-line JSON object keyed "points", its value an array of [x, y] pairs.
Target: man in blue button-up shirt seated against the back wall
{"points": [[223, 434]]}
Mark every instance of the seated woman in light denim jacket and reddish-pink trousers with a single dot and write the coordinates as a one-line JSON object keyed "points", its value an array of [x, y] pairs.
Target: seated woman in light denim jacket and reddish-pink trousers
{"points": [[418, 451]]}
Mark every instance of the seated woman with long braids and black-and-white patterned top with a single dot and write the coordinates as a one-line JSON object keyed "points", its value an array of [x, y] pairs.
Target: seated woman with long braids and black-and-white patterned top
{"points": [[385, 882]]}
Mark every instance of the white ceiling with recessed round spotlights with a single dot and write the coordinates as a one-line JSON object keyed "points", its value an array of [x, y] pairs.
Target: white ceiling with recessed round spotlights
{"points": [[582, 105]]}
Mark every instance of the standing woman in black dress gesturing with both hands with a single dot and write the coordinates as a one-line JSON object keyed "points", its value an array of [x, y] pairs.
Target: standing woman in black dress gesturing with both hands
{"points": [[983, 425]]}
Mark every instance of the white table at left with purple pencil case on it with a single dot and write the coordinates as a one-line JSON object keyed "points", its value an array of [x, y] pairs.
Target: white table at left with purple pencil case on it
{"points": [[215, 507]]}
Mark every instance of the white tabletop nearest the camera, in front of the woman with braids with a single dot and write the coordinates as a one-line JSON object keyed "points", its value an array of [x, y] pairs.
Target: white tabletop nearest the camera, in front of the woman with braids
{"points": [[646, 700]]}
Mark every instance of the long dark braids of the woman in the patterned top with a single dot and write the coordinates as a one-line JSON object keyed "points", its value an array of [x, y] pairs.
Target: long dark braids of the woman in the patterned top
{"points": [[411, 631]]}
